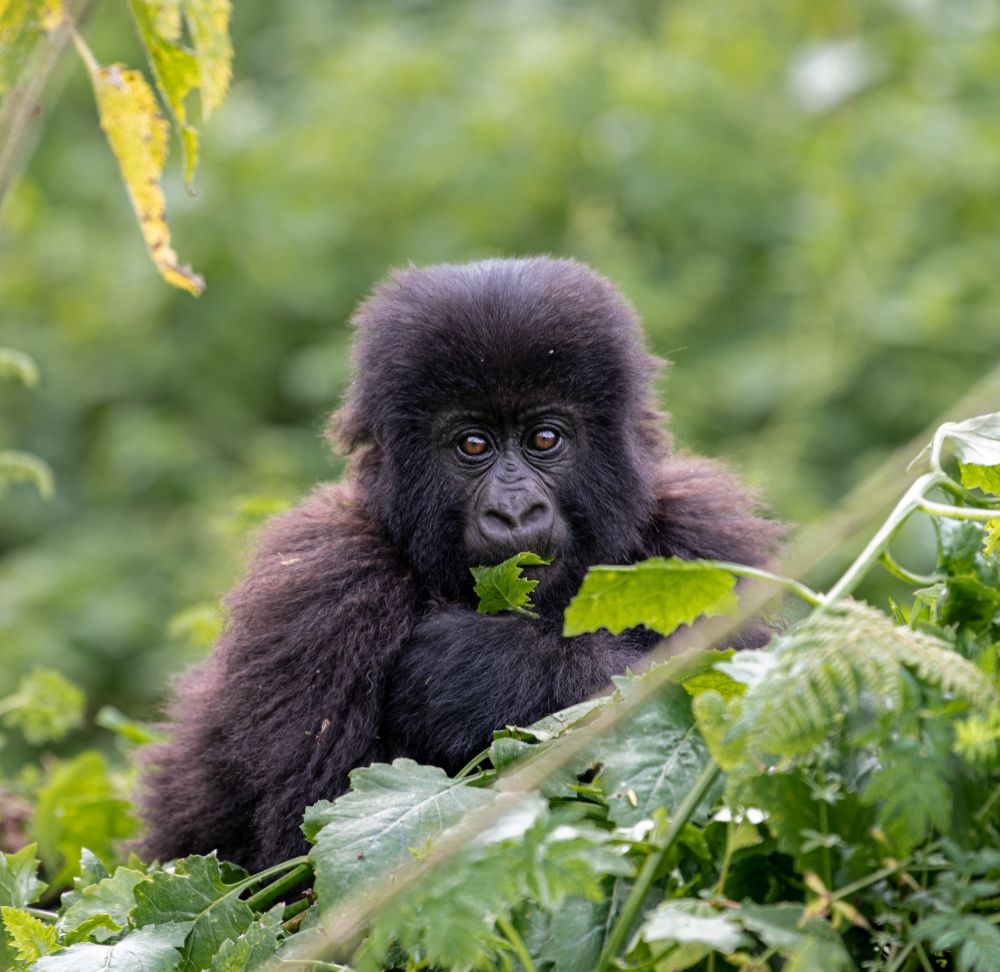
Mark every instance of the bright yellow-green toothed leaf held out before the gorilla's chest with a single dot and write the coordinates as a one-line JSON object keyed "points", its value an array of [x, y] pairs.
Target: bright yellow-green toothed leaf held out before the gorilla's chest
{"points": [[658, 593]]}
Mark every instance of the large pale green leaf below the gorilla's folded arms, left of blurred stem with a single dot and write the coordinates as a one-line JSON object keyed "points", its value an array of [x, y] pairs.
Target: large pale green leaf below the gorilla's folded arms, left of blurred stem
{"points": [[373, 830]]}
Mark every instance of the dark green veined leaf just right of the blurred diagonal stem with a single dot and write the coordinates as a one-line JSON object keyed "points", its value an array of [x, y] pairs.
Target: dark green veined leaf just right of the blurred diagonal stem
{"points": [[653, 756]]}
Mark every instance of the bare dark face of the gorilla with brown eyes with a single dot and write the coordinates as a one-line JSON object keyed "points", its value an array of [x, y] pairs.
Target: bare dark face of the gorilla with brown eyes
{"points": [[510, 470]]}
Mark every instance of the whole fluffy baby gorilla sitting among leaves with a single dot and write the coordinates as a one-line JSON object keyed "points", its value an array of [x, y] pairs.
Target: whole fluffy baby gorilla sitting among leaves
{"points": [[498, 407]]}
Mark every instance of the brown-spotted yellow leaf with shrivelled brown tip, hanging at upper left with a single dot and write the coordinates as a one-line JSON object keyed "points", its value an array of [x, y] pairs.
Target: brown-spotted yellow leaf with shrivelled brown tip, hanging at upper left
{"points": [[137, 133]]}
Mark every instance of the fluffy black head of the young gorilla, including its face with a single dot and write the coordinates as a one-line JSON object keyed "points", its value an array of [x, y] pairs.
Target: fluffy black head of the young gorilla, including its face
{"points": [[504, 406]]}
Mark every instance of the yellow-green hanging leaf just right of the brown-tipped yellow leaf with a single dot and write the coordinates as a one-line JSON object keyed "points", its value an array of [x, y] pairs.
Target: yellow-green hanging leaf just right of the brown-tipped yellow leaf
{"points": [[175, 68]]}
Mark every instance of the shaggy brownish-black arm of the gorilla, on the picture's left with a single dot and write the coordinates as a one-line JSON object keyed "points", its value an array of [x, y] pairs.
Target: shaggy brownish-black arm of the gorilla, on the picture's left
{"points": [[290, 698]]}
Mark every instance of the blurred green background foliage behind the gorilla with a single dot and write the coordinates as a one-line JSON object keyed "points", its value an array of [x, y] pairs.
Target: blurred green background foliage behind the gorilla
{"points": [[800, 198]]}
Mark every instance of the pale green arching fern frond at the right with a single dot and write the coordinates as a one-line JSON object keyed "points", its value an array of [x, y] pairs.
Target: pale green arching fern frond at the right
{"points": [[838, 658]]}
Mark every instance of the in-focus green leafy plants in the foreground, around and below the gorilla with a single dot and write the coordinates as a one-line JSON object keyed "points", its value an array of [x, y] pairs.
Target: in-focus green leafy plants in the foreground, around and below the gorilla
{"points": [[829, 802]]}
